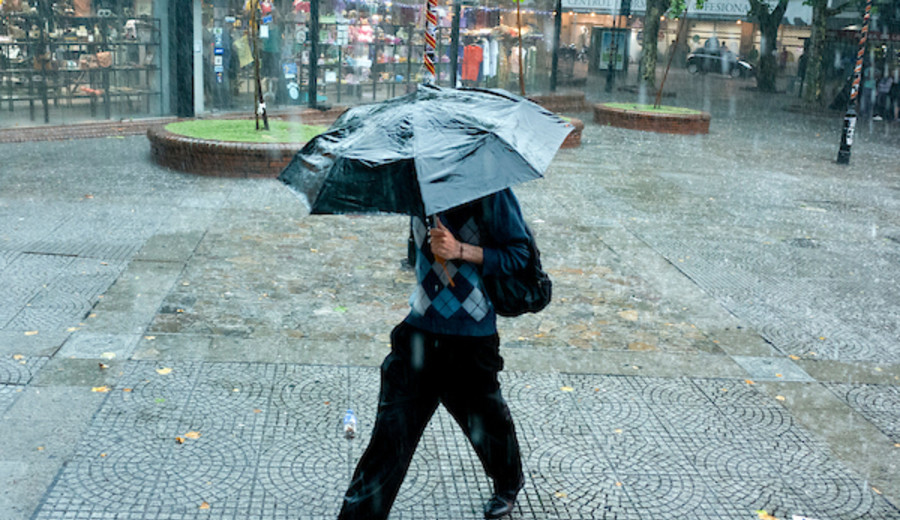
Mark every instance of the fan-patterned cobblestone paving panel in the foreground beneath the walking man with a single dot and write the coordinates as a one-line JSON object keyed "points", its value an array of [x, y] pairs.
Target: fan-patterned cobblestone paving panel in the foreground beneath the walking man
{"points": [[266, 443]]}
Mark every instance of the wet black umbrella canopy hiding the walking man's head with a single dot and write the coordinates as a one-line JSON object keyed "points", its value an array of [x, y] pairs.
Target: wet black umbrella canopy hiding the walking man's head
{"points": [[425, 152]]}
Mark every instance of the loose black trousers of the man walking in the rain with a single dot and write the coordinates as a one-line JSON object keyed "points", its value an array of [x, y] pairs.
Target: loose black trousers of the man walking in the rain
{"points": [[421, 371]]}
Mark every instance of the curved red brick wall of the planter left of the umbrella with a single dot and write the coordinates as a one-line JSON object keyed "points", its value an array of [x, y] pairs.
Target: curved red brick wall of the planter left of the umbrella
{"points": [[229, 158]]}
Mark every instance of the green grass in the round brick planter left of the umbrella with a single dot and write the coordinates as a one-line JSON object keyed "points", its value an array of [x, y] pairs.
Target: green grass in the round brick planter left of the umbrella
{"points": [[244, 130]]}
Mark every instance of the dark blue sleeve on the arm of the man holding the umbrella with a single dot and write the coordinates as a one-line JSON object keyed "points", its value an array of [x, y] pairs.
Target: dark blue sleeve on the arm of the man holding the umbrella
{"points": [[506, 249]]}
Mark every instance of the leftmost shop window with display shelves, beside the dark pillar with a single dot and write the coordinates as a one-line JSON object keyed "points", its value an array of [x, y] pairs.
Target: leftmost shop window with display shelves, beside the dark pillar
{"points": [[74, 61]]}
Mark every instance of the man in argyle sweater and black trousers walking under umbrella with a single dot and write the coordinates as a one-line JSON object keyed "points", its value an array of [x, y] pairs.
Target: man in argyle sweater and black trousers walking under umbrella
{"points": [[446, 352]]}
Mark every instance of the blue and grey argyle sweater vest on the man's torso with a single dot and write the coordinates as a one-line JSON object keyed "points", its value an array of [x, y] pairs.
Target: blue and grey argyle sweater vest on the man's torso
{"points": [[461, 309]]}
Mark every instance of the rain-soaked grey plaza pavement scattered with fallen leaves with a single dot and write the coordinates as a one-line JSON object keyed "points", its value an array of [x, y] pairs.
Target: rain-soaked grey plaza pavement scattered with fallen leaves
{"points": [[722, 339]]}
